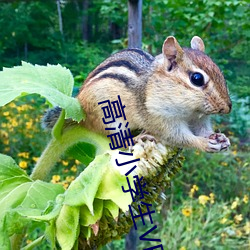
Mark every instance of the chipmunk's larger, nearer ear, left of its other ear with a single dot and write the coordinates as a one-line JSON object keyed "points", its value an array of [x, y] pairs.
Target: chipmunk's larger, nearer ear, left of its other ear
{"points": [[171, 49]]}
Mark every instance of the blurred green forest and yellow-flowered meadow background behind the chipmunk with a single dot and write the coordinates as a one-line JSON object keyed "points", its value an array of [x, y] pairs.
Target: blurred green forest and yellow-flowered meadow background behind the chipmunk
{"points": [[207, 206]]}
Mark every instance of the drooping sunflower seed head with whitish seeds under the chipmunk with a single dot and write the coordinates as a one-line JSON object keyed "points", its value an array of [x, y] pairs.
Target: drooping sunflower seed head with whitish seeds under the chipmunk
{"points": [[158, 164]]}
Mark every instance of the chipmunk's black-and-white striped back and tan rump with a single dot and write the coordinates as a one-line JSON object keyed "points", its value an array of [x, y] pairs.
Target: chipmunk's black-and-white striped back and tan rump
{"points": [[125, 73]]}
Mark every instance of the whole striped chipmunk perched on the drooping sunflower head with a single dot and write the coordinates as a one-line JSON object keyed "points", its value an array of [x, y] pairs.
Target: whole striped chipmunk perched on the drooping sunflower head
{"points": [[170, 96]]}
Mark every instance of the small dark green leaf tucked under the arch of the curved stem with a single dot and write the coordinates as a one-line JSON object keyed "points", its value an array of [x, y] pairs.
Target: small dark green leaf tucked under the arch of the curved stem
{"points": [[83, 152]]}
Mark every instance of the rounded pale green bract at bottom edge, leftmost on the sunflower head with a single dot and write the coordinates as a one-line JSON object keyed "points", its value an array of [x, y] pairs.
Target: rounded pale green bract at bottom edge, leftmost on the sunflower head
{"points": [[67, 226]]}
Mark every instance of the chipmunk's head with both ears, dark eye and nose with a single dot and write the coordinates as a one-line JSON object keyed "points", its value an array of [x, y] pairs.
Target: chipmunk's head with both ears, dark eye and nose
{"points": [[198, 77]]}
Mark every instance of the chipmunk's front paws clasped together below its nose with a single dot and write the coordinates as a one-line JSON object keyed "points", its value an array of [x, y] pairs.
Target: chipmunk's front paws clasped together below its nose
{"points": [[218, 142]]}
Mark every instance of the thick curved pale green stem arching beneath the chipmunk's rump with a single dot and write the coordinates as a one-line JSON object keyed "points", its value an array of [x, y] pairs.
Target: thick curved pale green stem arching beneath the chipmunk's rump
{"points": [[57, 147]]}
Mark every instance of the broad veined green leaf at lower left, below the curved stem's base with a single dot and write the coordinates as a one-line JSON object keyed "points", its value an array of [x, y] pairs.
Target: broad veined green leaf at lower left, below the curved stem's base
{"points": [[26, 202]]}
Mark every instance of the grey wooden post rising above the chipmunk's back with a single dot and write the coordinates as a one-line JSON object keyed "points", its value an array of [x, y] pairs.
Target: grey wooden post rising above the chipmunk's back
{"points": [[134, 23]]}
